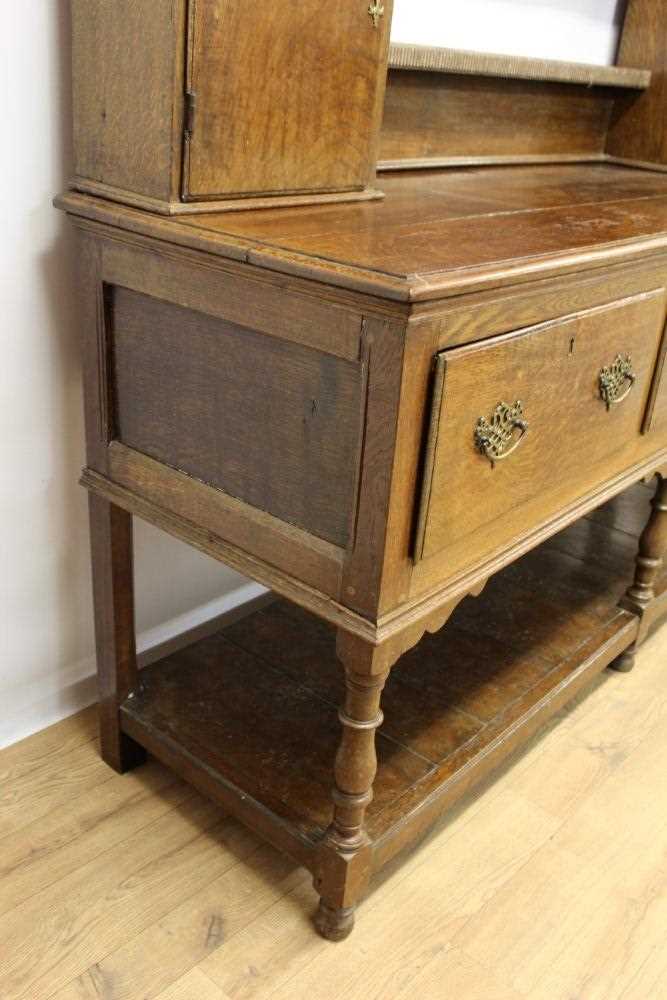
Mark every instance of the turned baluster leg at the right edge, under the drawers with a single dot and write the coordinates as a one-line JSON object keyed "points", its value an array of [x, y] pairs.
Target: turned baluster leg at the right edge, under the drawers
{"points": [[641, 595]]}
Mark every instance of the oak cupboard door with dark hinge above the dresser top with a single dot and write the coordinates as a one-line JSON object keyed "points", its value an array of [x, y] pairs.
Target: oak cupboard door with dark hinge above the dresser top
{"points": [[288, 96]]}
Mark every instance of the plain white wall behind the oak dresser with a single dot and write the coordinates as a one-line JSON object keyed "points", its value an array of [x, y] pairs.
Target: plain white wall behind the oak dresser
{"points": [[46, 640]]}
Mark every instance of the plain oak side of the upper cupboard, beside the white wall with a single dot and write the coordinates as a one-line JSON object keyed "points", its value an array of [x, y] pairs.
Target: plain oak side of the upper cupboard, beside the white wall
{"points": [[127, 72]]}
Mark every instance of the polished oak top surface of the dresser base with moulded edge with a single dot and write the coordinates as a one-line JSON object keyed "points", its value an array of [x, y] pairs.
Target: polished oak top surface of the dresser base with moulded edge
{"points": [[437, 232]]}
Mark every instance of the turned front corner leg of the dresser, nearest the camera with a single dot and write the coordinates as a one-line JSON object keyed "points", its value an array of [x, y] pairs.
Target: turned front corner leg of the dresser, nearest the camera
{"points": [[346, 863]]}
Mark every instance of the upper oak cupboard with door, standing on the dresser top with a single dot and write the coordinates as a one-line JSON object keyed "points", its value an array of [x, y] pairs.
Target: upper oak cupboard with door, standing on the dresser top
{"points": [[201, 105]]}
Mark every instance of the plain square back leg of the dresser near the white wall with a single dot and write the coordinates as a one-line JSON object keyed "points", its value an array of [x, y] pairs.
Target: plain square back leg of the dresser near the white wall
{"points": [[113, 592]]}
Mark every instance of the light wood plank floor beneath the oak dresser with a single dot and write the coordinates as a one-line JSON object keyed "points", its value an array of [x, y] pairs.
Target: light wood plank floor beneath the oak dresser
{"points": [[551, 883]]}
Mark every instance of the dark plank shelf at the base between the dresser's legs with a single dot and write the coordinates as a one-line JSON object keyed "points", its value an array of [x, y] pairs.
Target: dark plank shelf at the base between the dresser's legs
{"points": [[249, 715]]}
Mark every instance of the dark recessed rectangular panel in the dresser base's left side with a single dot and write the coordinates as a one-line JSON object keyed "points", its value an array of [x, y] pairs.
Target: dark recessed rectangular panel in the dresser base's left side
{"points": [[270, 422]]}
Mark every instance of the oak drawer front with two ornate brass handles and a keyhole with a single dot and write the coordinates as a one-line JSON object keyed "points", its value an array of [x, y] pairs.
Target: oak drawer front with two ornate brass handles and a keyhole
{"points": [[520, 428]]}
